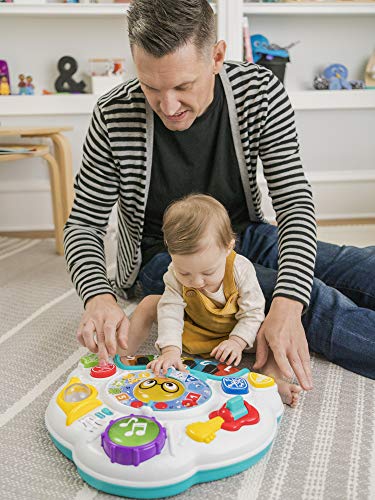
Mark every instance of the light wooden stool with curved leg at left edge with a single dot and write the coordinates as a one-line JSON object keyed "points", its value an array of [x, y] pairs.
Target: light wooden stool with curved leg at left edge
{"points": [[59, 211]]}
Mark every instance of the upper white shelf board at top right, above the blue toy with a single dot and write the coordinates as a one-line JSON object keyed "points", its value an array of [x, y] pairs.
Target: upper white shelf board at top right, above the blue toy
{"points": [[317, 8]]}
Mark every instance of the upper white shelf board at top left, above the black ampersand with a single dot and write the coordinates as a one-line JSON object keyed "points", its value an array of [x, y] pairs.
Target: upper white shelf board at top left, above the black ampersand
{"points": [[62, 9]]}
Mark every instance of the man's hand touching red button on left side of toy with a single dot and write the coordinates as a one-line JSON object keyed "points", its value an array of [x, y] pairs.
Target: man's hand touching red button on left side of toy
{"points": [[103, 326]]}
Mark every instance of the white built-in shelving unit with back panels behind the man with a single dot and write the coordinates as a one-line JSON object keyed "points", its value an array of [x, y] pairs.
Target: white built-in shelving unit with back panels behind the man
{"points": [[335, 128]]}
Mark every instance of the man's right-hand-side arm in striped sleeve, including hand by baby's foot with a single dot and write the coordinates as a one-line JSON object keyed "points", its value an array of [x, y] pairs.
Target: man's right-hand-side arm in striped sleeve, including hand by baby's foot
{"points": [[292, 201]]}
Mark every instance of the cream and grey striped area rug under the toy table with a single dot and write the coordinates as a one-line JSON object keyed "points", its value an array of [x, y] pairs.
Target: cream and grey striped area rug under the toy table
{"points": [[325, 449]]}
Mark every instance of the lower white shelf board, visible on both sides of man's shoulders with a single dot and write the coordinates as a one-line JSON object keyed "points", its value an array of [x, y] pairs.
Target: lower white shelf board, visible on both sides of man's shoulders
{"points": [[312, 100]]}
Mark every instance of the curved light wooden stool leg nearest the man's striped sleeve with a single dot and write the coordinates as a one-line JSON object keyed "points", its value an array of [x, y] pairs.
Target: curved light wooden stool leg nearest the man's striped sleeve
{"points": [[57, 204]]}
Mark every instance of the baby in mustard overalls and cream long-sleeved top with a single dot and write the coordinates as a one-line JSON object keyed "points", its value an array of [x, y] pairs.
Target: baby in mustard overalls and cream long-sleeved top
{"points": [[212, 305]]}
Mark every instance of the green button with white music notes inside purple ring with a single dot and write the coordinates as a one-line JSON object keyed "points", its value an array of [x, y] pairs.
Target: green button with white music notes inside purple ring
{"points": [[133, 431]]}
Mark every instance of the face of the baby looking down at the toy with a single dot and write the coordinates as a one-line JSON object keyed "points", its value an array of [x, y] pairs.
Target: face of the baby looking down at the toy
{"points": [[203, 270]]}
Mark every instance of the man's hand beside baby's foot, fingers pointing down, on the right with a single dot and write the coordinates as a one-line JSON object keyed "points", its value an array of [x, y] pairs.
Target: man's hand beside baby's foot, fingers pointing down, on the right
{"points": [[283, 333]]}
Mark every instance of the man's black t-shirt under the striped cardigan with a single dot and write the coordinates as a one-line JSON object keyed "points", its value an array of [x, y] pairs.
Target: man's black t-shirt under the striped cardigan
{"points": [[201, 159]]}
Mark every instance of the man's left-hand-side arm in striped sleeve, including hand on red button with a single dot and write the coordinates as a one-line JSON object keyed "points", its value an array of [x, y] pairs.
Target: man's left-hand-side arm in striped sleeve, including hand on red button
{"points": [[96, 192]]}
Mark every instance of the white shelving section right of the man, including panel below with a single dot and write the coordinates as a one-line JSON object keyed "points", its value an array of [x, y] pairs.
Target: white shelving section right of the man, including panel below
{"points": [[335, 128]]}
